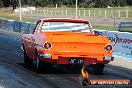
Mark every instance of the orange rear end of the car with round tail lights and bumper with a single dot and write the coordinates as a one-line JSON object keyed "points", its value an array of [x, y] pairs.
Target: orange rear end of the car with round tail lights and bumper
{"points": [[76, 48]]}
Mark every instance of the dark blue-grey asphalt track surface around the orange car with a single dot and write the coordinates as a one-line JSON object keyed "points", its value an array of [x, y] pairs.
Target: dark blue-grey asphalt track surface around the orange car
{"points": [[17, 76]]}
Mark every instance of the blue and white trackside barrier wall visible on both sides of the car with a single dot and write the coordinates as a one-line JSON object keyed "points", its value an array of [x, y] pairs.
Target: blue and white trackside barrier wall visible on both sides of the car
{"points": [[122, 41]]}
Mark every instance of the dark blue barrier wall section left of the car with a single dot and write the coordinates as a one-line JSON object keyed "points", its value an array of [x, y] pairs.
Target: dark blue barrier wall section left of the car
{"points": [[16, 26]]}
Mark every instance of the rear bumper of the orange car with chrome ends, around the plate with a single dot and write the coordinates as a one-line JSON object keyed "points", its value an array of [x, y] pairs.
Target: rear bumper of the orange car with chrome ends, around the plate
{"points": [[65, 59]]}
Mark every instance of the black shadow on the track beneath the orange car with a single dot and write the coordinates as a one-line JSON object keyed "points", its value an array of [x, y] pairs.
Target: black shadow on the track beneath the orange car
{"points": [[56, 69]]}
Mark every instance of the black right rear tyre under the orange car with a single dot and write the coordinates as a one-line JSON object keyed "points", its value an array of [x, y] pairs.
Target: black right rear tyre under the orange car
{"points": [[97, 68]]}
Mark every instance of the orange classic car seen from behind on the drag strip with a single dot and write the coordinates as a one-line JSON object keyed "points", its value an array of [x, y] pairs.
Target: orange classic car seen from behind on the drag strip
{"points": [[66, 41]]}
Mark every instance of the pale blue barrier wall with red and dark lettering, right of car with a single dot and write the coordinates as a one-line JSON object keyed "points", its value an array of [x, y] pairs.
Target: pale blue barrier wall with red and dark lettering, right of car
{"points": [[122, 41]]}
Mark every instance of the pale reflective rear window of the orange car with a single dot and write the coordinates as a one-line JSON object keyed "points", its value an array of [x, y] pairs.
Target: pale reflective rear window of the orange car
{"points": [[65, 26]]}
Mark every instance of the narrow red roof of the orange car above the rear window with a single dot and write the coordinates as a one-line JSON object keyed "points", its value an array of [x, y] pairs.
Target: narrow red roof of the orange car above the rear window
{"points": [[65, 20]]}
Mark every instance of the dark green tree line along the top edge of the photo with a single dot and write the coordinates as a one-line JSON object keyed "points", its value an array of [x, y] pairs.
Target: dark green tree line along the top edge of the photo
{"points": [[66, 3]]}
